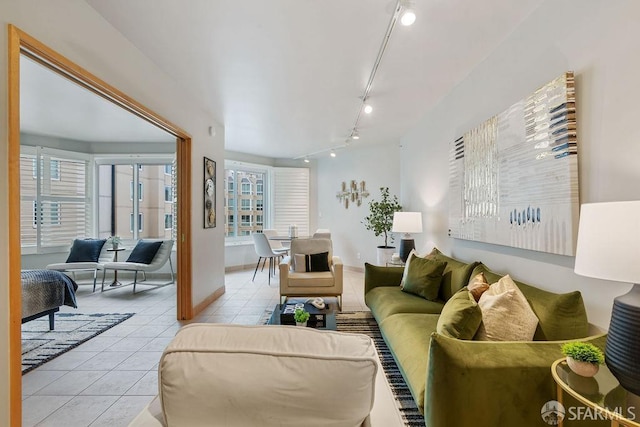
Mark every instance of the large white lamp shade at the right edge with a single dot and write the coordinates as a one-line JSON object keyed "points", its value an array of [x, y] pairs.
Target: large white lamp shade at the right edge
{"points": [[609, 241]]}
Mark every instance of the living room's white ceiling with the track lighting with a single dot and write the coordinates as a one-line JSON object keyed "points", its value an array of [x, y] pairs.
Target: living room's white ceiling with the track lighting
{"points": [[284, 77]]}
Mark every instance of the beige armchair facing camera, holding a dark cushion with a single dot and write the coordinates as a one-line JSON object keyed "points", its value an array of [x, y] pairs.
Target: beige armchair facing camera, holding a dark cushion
{"points": [[296, 281]]}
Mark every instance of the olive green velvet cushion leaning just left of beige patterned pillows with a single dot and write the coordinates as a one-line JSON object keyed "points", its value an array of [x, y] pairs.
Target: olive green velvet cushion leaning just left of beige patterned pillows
{"points": [[460, 317]]}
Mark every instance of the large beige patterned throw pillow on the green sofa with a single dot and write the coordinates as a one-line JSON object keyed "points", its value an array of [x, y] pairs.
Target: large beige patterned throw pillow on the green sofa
{"points": [[506, 314]]}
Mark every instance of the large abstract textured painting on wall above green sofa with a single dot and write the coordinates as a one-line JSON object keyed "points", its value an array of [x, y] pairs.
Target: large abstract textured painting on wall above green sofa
{"points": [[514, 179]]}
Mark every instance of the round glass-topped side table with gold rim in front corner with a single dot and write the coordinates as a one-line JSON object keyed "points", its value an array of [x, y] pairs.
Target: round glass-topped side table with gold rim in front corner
{"points": [[601, 395]]}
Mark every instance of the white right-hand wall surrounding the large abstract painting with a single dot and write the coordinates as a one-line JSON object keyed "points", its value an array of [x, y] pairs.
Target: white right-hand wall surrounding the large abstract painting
{"points": [[599, 41]]}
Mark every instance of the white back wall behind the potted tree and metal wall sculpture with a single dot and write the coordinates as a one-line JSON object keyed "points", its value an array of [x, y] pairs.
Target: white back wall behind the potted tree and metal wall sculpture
{"points": [[379, 167]]}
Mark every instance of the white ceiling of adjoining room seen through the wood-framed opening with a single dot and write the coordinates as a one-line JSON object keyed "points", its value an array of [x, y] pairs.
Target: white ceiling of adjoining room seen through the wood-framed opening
{"points": [[55, 106]]}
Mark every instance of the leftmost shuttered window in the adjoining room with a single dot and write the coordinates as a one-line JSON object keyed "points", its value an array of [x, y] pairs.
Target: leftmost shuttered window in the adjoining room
{"points": [[54, 206]]}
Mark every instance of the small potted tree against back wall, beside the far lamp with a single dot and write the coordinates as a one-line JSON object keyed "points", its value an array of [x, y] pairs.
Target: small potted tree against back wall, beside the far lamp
{"points": [[380, 221]]}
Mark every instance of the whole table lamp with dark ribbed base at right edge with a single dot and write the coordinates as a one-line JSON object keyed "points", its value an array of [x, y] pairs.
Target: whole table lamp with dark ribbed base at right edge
{"points": [[609, 248]]}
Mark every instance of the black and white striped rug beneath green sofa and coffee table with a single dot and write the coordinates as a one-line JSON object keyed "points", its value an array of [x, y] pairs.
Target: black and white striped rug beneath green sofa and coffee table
{"points": [[363, 322]]}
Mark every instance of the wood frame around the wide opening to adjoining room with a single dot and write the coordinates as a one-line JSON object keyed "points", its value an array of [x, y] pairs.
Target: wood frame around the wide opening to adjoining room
{"points": [[21, 43]]}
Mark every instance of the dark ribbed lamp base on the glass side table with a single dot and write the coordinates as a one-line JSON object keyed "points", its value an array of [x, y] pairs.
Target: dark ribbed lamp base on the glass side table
{"points": [[623, 340]]}
